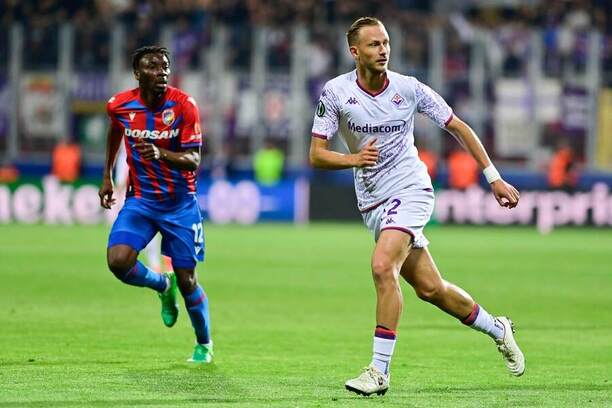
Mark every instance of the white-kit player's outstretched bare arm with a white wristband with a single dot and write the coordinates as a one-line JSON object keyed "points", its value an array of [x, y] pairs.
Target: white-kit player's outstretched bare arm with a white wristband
{"points": [[505, 193]]}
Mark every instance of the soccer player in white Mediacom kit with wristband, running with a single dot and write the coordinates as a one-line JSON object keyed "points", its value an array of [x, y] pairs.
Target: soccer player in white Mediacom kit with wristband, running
{"points": [[373, 110]]}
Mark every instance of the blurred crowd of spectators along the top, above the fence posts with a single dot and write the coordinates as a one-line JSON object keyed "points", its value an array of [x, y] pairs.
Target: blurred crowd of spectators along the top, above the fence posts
{"points": [[564, 23]]}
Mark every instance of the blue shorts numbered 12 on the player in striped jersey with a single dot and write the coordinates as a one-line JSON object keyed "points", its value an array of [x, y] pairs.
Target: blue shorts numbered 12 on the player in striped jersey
{"points": [[180, 226]]}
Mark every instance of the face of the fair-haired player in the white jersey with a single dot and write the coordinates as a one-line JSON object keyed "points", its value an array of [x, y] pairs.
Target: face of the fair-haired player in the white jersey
{"points": [[372, 49]]}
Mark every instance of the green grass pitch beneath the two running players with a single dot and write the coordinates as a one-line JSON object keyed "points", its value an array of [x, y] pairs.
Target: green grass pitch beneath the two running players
{"points": [[293, 316]]}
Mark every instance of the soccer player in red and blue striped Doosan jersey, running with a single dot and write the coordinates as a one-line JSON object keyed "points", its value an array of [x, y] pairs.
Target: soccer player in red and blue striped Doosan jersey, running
{"points": [[160, 126]]}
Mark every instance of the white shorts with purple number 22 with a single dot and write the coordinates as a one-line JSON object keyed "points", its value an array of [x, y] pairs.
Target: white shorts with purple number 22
{"points": [[408, 211]]}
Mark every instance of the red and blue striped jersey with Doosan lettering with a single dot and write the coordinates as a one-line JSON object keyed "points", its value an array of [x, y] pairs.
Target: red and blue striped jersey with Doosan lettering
{"points": [[174, 125]]}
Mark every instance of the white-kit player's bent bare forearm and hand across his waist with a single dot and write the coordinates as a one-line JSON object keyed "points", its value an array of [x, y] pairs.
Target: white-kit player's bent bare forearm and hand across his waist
{"points": [[322, 157]]}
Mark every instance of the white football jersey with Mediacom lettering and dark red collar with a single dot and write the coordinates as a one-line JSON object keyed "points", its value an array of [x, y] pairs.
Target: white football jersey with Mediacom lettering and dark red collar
{"points": [[388, 116]]}
